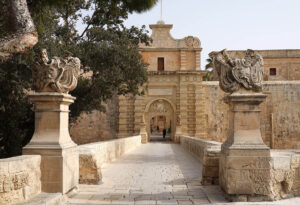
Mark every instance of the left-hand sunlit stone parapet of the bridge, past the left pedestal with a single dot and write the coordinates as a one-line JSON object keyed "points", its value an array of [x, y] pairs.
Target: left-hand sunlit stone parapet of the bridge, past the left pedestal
{"points": [[93, 156]]}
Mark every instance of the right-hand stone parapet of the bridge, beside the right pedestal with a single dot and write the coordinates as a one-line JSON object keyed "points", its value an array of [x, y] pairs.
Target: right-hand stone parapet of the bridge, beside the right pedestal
{"points": [[209, 153]]}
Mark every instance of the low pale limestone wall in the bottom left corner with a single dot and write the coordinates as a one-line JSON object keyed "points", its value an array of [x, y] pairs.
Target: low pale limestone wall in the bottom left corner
{"points": [[19, 178]]}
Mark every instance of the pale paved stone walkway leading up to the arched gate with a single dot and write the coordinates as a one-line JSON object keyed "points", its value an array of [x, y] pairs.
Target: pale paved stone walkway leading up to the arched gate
{"points": [[155, 173]]}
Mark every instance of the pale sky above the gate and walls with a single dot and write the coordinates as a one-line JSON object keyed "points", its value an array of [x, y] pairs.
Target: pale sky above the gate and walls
{"points": [[230, 24]]}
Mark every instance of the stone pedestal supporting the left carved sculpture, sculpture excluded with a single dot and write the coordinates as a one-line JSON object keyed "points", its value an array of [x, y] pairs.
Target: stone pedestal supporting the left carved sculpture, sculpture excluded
{"points": [[51, 140]]}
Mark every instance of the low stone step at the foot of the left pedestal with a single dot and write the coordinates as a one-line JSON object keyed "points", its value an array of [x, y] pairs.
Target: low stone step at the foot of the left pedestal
{"points": [[45, 199]]}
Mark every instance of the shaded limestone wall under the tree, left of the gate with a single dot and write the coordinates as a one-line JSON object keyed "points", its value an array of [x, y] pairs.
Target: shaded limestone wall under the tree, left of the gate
{"points": [[96, 126]]}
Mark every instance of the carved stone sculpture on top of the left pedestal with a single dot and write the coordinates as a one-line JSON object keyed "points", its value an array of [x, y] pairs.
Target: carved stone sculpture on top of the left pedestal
{"points": [[55, 75]]}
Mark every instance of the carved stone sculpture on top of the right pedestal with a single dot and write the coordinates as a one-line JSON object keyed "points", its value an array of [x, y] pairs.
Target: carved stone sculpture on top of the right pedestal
{"points": [[236, 73]]}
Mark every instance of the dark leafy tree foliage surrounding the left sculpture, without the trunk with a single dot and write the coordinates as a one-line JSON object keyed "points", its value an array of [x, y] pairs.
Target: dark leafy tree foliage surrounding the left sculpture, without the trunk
{"points": [[111, 62]]}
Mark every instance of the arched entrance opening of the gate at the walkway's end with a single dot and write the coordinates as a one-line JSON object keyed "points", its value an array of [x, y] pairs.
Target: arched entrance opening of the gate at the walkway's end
{"points": [[159, 115]]}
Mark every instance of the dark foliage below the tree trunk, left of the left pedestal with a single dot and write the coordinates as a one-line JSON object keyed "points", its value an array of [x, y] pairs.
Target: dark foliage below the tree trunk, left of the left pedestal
{"points": [[16, 115]]}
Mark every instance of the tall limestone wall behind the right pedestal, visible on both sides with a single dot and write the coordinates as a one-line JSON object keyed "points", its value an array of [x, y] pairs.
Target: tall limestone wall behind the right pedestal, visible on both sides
{"points": [[280, 116]]}
